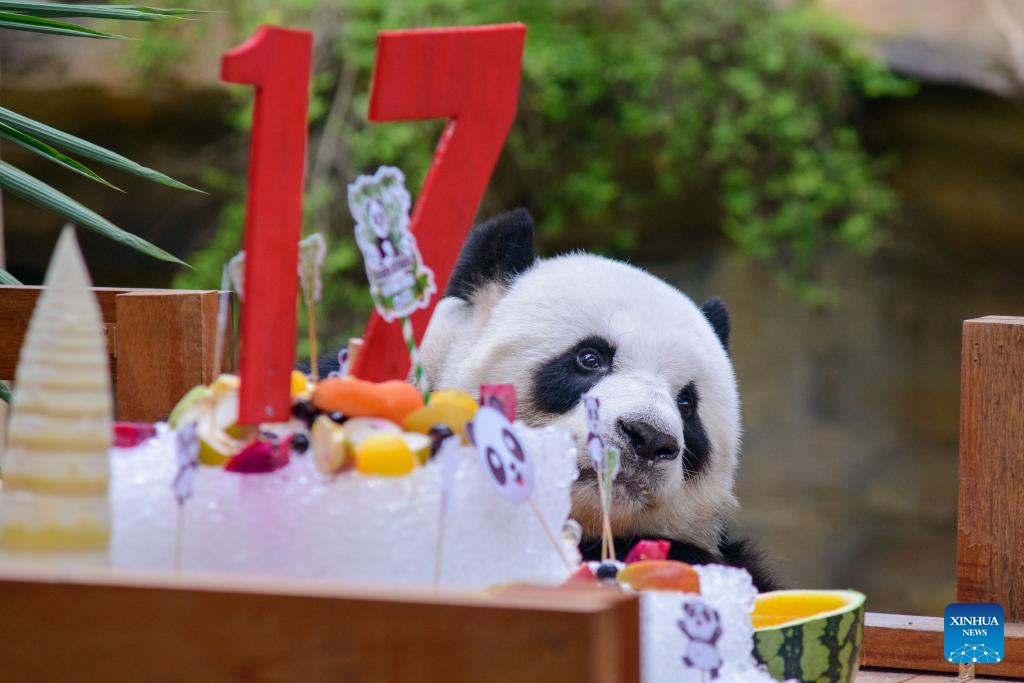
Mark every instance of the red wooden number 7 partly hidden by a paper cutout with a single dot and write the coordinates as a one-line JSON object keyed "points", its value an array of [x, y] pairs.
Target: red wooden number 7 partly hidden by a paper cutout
{"points": [[471, 76]]}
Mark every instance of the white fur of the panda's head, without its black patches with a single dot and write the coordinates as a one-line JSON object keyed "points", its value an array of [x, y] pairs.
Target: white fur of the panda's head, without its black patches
{"points": [[663, 343]]}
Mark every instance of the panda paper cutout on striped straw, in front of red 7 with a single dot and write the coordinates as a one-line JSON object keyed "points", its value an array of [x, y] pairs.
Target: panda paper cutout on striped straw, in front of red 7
{"points": [[400, 283]]}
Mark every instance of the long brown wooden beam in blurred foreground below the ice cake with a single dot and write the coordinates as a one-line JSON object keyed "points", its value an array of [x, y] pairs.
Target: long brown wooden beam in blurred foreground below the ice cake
{"points": [[119, 627]]}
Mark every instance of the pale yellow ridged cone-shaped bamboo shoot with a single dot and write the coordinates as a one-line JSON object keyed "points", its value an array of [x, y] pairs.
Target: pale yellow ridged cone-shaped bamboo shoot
{"points": [[56, 468]]}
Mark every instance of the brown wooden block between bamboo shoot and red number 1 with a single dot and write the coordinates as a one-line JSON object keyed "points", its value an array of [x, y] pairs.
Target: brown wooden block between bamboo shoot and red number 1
{"points": [[165, 348]]}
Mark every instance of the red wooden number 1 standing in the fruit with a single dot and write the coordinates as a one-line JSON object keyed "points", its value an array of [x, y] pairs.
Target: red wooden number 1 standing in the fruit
{"points": [[278, 63]]}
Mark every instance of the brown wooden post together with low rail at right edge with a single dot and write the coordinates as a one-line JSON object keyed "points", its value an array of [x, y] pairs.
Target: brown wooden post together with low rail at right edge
{"points": [[991, 509]]}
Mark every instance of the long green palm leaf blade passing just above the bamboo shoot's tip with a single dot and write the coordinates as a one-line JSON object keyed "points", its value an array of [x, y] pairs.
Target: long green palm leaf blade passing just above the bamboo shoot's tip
{"points": [[21, 184]]}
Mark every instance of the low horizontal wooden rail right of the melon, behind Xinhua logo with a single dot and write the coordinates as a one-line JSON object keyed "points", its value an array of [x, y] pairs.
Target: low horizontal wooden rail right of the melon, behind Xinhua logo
{"points": [[899, 642]]}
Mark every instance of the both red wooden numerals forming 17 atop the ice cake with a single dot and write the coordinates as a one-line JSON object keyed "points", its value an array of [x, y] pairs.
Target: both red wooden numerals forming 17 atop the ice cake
{"points": [[470, 75]]}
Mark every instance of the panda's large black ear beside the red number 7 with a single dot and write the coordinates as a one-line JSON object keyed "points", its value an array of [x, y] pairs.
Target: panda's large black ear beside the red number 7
{"points": [[495, 252]]}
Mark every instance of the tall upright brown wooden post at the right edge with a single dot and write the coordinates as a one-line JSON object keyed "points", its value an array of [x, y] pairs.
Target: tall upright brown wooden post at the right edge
{"points": [[991, 520]]}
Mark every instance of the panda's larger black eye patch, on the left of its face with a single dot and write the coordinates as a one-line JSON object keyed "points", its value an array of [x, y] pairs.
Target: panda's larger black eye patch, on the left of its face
{"points": [[561, 382]]}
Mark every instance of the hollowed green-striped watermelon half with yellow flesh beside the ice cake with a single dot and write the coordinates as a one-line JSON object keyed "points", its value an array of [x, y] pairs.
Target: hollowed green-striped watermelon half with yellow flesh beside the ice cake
{"points": [[809, 635]]}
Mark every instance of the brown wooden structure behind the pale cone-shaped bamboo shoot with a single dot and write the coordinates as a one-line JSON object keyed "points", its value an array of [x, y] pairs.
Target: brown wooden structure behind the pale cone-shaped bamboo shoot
{"points": [[161, 344]]}
